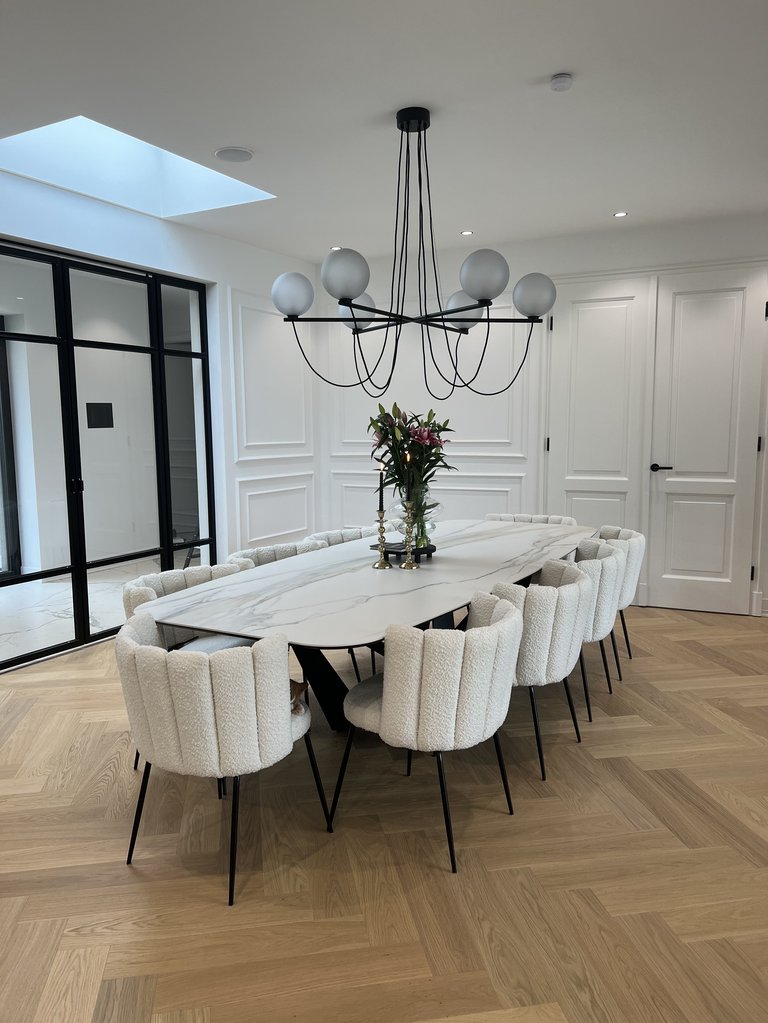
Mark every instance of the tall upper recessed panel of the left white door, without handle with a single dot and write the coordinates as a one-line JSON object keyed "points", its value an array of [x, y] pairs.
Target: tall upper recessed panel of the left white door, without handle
{"points": [[600, 388]]}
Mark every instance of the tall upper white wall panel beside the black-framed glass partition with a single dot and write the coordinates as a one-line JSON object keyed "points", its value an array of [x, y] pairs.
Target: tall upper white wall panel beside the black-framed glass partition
{"points": [[270, 386]]}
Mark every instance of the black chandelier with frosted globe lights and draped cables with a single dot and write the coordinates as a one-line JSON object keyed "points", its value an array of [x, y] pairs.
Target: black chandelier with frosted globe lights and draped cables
{"points": [[484, 276]]}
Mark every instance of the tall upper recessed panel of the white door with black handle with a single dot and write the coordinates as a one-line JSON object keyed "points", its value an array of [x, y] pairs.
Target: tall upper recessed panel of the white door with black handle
{"points": [[707, 345]]}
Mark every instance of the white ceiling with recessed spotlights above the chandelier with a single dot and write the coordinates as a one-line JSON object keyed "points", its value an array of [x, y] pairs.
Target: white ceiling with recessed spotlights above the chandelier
{"points": [[667, 117]]}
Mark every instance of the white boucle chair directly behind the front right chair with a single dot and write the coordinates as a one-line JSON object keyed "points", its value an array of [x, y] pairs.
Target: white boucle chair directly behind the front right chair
{"points": [[555, 609]]}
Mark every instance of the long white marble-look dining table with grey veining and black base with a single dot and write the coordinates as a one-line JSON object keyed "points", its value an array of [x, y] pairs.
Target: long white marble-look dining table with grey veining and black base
{"points": [[334, 598]]}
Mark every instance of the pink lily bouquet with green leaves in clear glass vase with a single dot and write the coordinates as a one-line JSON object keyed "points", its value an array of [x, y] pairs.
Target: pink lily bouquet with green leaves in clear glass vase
{"points": [[411, 448]]}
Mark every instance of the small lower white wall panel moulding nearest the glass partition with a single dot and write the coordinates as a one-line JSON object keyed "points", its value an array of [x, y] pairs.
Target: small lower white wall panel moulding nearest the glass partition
{"points": [[276, 509]]}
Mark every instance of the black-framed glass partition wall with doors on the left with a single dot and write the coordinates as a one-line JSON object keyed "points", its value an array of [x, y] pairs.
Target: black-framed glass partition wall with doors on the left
{"points": [[106, 470]]}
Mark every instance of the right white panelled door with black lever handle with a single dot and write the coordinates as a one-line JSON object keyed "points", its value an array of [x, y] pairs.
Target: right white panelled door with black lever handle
{"points": [[706, 421]]}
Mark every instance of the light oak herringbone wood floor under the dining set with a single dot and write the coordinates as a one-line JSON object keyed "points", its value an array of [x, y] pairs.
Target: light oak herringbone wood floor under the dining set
{"points": [[633, 886]]}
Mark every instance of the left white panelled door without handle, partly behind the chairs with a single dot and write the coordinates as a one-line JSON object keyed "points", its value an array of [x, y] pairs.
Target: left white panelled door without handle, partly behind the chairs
{"points": [[601, 357]]}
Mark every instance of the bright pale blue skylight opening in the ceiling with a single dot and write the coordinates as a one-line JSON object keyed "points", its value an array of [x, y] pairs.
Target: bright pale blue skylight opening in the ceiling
{"points": [[85, 157]]}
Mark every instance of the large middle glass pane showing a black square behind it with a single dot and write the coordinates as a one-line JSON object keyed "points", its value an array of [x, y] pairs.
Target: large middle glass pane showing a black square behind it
{"points": [[117, 450]]}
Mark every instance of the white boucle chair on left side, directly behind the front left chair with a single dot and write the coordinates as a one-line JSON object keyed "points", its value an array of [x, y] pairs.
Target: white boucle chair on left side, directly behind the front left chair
{"points": [[150, 588]]}
